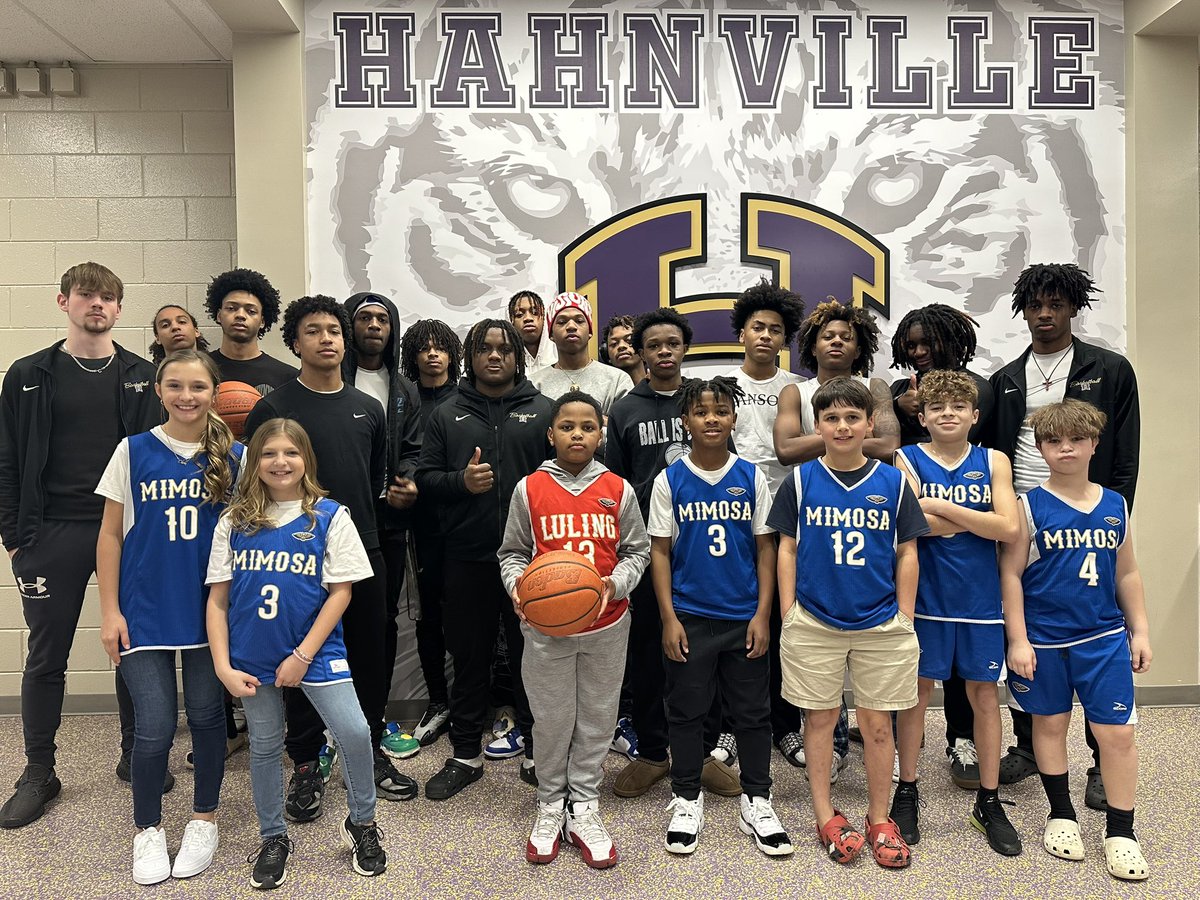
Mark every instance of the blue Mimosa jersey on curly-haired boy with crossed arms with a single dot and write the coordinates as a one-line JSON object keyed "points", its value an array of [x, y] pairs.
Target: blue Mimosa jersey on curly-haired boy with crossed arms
{"points": [[959, 574]]}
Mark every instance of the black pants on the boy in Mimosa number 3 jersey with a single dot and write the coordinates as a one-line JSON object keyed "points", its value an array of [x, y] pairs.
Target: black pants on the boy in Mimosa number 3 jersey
{"points": [[717, 656]]}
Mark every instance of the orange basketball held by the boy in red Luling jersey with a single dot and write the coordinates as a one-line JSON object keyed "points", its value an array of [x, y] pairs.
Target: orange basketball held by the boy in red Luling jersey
{"points": [[560, 593]]}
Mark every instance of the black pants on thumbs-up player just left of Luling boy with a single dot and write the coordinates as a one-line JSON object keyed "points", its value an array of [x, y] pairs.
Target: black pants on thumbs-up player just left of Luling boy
{"points": [[476, 607]]}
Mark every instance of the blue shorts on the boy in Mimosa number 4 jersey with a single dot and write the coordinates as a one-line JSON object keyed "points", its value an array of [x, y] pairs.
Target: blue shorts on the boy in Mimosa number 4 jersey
{"points": [[1100, 671]]}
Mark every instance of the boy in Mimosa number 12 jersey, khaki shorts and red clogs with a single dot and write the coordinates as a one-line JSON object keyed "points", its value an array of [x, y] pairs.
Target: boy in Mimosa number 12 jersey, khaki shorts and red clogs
{"points": [[848, 585]]}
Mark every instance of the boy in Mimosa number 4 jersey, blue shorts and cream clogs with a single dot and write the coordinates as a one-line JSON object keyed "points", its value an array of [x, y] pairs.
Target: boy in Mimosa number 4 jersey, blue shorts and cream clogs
{"points": [[1076, 616]]}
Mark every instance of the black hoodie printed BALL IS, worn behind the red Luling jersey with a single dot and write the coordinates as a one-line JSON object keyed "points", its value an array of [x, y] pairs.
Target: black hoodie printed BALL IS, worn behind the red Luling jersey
{"points": [[645, 436]]}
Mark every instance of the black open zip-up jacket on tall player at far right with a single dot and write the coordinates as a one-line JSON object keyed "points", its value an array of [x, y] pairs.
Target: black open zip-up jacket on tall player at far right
{"points": [[1100, 377]]}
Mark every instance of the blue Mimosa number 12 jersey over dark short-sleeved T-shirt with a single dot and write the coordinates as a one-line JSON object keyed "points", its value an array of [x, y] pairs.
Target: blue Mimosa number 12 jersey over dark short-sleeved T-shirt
{"points": [[848, 526]]}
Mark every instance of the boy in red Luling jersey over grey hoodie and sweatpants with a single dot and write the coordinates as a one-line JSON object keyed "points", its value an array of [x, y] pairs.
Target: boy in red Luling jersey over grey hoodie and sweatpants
{"points": [[574, 683]]}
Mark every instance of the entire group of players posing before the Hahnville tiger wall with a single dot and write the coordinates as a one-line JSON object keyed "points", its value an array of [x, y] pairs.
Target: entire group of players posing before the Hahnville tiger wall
{"points": [[759, 537]]}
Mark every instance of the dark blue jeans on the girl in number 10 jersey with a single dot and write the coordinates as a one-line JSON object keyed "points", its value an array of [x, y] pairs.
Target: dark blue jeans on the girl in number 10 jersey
{"points": [[151, 677]]}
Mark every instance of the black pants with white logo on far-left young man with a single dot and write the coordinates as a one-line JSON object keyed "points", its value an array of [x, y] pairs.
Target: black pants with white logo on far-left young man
{"points": [[52, 578]]}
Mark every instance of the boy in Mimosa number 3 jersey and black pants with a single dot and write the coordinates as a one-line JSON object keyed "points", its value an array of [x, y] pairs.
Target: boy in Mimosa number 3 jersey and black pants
{"points": [[712, 562]]}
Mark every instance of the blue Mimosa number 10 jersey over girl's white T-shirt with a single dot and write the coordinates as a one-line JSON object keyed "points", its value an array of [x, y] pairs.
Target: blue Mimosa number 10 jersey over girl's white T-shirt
{"points": [[167, 525]]}
